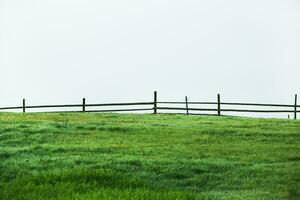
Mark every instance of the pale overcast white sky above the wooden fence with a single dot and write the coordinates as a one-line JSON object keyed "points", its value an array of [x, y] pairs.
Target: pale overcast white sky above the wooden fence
{"points": [[58, 51]]}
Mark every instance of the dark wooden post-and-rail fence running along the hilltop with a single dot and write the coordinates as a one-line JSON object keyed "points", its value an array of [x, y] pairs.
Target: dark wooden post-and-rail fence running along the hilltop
{"points": [[156, 105]]}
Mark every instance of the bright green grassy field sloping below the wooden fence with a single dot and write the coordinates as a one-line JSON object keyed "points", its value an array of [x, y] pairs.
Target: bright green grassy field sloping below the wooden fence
{"points": [[124, 156]]}
